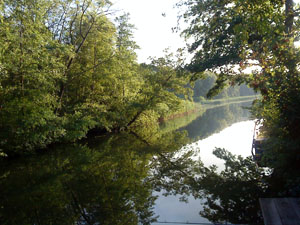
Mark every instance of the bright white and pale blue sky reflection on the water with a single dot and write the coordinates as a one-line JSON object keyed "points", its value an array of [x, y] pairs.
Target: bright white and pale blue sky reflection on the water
{"points": [[236, 138]]}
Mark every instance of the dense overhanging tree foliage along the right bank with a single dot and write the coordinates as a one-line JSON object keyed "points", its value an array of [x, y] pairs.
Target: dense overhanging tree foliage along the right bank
{"points": [[253, 42]]}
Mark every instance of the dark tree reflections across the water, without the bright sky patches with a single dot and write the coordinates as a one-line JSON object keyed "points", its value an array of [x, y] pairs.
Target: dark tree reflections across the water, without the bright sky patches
{"points": [[110, 180]]}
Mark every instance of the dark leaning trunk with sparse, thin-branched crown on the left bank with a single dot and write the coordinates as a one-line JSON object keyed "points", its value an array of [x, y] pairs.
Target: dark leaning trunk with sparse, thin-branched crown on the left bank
{"points": [[72, 22]]}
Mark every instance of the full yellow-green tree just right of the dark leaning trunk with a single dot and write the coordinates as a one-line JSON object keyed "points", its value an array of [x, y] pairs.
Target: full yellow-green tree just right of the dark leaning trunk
{"points": [[87, 98]]}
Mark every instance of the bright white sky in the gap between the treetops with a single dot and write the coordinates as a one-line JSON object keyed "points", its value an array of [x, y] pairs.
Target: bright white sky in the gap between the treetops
{"points": [[153, 31]]}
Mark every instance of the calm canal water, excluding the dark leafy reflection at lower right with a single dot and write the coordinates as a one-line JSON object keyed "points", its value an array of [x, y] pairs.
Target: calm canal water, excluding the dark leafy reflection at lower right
{"points": [[114, 179]]}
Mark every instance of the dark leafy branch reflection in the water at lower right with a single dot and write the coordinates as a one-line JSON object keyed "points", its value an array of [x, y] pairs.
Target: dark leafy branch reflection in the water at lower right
{"points": [[228, 196]]}
